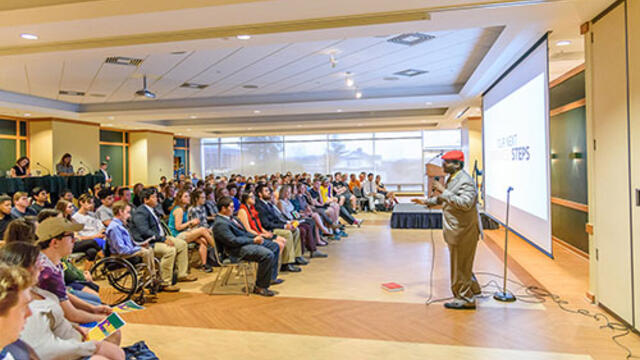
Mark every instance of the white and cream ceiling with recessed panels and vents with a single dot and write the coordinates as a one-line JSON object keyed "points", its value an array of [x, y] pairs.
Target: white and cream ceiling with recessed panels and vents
{"points": [[290, 76]]}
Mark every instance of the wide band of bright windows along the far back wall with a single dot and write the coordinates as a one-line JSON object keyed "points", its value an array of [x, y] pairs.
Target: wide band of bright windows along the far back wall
{"points": [[396, 156]]}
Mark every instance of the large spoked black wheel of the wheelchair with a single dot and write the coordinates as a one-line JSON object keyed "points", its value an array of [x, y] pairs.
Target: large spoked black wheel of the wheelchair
{"points": [[120, 275]]}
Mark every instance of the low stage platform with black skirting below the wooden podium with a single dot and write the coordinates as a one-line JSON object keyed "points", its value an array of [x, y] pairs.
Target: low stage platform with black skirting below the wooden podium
{"points": [[414, 216]]}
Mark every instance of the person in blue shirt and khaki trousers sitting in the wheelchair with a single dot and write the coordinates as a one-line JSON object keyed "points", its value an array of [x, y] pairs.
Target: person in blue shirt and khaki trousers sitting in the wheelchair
{"points": [[119, 239]]}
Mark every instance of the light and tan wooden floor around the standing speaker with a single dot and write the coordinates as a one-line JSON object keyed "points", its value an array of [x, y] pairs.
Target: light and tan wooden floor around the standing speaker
{"points": [[336, 309]]}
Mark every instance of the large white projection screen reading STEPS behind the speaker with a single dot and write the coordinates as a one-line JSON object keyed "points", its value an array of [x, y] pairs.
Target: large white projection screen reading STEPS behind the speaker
{"points": [[516, 147]]}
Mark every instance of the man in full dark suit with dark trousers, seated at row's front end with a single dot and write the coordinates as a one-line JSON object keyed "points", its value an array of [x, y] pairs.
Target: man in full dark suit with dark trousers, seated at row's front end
{"points": [[244, 245]]}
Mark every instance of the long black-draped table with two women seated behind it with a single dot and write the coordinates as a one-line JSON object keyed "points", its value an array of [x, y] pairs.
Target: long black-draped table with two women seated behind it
{"points": [[53, 184]]}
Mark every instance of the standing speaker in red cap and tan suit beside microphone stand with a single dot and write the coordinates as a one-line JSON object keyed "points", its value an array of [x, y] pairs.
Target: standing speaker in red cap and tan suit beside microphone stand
{"points": [[460, 227]]}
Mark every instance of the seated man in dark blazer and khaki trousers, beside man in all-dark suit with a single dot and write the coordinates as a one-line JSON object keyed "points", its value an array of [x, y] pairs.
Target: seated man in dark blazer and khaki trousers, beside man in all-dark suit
{"points": [[271, 221]]}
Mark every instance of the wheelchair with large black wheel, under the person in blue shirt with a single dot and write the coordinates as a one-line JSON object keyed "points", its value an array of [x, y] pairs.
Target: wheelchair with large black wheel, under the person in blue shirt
{"points": [[127, 276]]}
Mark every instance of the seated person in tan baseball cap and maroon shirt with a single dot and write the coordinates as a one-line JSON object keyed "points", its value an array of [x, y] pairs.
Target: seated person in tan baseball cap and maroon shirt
{"points": [[55, 239]]}
